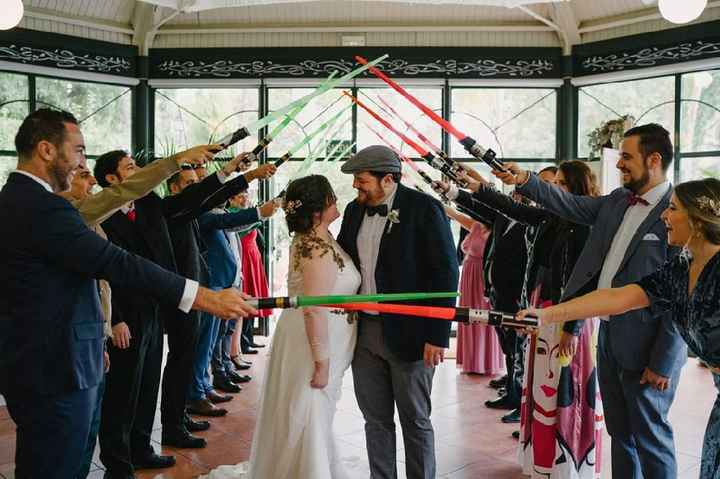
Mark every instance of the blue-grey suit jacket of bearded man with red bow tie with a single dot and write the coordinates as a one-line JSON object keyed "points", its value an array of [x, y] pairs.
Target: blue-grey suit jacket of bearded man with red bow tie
{"points": [[638, 339]]}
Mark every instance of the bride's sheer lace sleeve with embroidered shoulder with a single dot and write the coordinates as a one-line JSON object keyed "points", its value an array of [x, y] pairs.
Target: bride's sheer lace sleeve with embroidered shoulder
{"points": [[316, 261]]}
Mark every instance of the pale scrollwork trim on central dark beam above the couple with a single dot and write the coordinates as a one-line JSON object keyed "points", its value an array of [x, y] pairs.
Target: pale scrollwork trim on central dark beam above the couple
{"points": [[483, 68]]}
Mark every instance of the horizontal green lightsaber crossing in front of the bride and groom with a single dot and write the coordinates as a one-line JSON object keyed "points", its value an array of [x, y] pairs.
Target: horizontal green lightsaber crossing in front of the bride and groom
{"points": [[283, 302]]}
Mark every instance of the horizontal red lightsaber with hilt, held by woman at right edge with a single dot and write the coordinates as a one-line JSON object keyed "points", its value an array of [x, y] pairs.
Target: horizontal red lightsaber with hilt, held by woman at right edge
{"points": [[461, 314]]}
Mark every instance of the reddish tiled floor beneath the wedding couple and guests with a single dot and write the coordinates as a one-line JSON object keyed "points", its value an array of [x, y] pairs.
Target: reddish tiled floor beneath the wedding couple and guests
{"points": [[470, 440]]}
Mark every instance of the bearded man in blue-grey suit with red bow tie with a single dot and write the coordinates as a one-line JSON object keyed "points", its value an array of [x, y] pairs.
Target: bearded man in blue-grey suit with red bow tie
{"points": [[639, 355]]}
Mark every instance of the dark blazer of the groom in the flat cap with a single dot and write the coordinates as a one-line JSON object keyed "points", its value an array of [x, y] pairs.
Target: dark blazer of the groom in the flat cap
{"points": [[416, 254]]}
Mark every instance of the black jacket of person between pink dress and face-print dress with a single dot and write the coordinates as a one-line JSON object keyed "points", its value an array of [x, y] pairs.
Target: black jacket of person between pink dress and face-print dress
{"points": [[505, 255]]}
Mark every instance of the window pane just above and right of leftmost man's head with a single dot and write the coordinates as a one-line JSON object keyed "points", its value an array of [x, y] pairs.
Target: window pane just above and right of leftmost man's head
{"points": [[104, 111]]}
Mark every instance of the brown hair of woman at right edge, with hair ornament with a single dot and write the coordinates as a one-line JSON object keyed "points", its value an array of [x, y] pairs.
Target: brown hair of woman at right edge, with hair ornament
{"points": [[701, 199]]}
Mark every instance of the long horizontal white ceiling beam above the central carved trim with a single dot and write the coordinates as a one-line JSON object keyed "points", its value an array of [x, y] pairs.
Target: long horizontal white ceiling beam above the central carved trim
{"points": [[225, 29]]}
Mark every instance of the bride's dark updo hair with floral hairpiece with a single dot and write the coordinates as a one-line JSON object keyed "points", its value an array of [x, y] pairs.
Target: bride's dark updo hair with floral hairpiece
{"points": [[304, 198]]}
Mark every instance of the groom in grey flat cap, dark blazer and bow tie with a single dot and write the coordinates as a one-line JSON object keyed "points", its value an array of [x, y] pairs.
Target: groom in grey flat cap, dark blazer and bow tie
{"points": [[400, 240]]}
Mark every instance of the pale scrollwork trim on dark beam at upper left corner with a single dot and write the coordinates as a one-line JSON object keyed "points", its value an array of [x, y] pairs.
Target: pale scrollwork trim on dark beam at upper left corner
{"points": [[62, 58]]}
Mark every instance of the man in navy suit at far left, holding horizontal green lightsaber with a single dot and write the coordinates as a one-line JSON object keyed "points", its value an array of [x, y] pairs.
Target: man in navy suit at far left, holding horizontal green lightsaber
{"points": [[51, 324]]}
